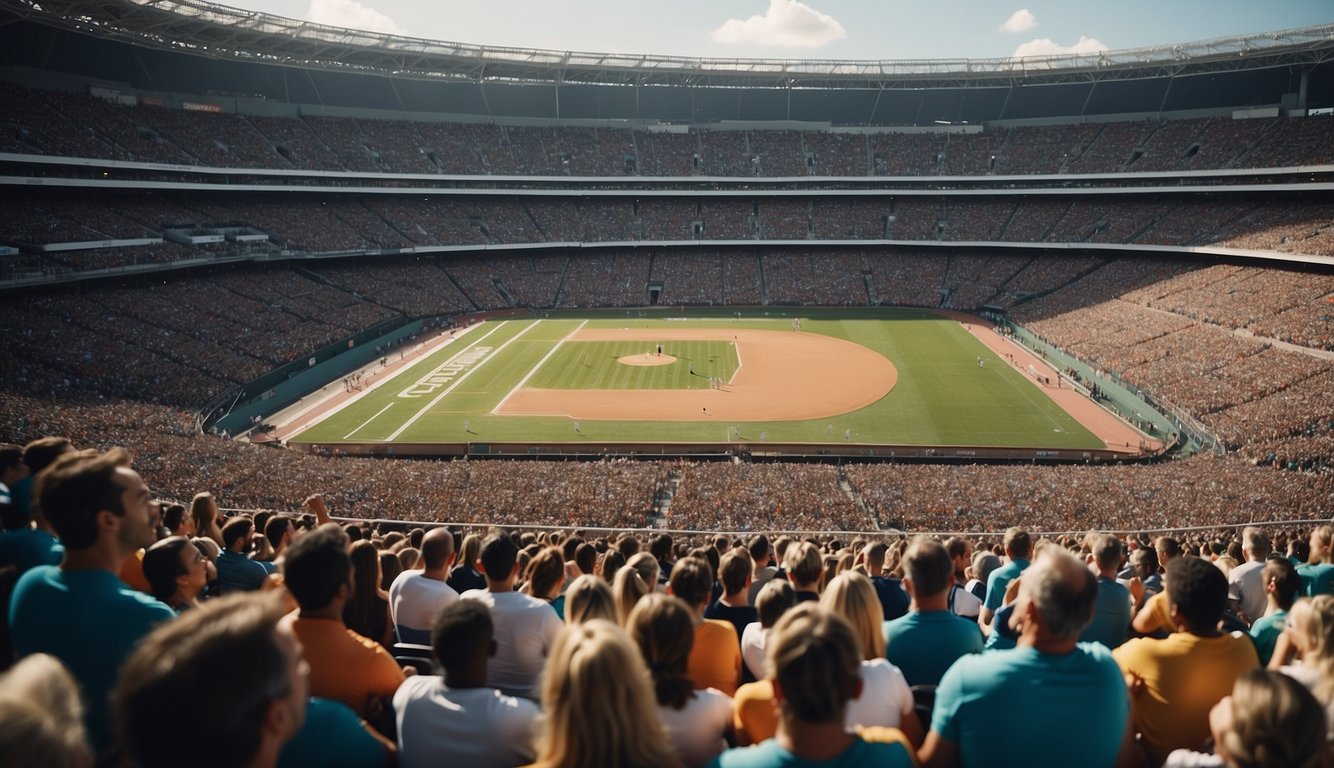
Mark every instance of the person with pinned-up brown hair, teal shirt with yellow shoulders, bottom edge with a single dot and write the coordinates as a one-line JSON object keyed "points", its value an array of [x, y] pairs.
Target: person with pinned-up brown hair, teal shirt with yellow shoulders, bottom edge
{"points": [[816, 663]]}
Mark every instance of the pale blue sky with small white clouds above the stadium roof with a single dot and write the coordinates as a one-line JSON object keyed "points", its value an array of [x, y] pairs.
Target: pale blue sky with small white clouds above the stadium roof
{"points": [[812, 29]]}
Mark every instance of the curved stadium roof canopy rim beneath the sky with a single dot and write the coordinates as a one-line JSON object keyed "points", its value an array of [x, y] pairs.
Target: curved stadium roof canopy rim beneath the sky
{"points": [[230, 34]]}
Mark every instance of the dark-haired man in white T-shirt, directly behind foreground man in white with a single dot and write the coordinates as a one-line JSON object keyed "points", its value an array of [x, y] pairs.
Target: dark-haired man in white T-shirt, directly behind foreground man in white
{"points": [[526, 629]]}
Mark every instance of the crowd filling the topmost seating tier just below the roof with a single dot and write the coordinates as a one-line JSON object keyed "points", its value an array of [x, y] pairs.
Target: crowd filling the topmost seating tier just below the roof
{"points": [[311, 142]]}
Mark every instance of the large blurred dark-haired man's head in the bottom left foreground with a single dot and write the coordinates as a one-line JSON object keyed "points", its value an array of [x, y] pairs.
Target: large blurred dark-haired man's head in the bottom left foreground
{"points": [[230, 665]]}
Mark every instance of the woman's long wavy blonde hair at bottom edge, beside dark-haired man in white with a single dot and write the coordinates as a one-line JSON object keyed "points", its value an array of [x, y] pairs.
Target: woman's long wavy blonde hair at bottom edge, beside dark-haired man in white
{"points": [[600, 705]]}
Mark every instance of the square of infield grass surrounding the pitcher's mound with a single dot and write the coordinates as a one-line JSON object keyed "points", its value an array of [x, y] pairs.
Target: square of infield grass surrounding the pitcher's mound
{"points": [[596, 366]]}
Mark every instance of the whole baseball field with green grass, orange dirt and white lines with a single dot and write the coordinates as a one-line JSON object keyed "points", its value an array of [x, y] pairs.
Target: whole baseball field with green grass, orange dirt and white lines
{"points": [[824, 377]]}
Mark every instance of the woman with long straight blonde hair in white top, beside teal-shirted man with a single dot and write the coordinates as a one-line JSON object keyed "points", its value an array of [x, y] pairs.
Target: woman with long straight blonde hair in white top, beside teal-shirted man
{"points": [[886, 698]]}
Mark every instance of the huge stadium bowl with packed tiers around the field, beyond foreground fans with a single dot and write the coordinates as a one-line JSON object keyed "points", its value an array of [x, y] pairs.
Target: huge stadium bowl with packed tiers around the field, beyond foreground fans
{"points": [[217, 217]]}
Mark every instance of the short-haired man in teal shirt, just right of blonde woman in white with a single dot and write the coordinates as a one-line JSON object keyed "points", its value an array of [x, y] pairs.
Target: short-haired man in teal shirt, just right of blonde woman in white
{"points": [[930, 639]]}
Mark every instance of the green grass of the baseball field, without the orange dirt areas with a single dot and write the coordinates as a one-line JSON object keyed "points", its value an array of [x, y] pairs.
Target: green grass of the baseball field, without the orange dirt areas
{"points": [[942, 398]]}
